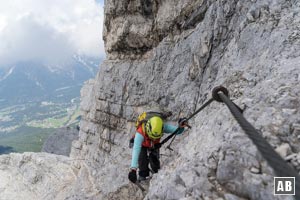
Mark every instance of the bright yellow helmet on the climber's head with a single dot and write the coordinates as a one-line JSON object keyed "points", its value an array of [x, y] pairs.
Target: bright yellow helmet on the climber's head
{"points": [[154, 128]]}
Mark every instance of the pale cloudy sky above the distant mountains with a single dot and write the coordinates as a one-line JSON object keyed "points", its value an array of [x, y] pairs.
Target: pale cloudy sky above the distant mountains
{"points": [[49, 30]]}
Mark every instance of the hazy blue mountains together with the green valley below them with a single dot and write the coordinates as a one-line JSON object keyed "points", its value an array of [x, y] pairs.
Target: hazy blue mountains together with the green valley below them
{"points": [[35, 99]]}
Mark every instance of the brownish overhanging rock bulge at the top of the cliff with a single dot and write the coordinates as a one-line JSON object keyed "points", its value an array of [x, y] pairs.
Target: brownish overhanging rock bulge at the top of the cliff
{"points": [[134, 27]]}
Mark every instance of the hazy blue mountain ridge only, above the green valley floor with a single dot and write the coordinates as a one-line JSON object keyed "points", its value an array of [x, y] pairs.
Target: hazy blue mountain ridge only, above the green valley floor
{"points": [[32, 81]]}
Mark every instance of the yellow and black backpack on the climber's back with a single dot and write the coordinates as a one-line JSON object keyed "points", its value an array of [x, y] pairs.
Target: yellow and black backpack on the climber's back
{"points": [[144, 117]]}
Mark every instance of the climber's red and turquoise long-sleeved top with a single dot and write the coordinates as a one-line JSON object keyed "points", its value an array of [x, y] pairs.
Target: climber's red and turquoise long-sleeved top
{"points": [[141, 139]]}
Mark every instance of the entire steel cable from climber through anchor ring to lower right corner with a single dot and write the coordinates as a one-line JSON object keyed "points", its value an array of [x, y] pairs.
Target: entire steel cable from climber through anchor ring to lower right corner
{"points": [[275, 161]]}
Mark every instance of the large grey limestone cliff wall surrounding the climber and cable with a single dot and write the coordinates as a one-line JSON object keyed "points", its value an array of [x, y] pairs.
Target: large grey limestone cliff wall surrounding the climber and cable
{"points": [[169, 54]]}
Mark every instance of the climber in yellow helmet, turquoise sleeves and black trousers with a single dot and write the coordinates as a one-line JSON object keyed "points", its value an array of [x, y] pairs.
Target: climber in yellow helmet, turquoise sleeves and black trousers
{"points": [[147, 136]]}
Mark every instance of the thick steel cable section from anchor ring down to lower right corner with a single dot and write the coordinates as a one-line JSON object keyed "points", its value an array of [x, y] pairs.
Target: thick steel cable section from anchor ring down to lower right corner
{"points": [[280, 167]]}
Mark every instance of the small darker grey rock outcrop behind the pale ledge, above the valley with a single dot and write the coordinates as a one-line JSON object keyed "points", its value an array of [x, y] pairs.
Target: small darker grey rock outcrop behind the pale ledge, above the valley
{"points": [[60, 142]]}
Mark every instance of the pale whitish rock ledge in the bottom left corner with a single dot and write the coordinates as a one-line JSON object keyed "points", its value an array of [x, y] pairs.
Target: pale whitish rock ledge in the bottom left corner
{"points": [[35, 176]]}
